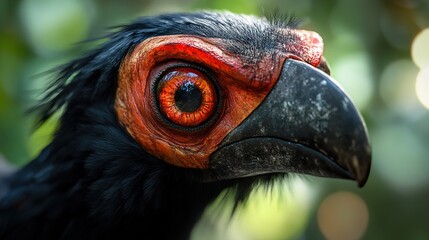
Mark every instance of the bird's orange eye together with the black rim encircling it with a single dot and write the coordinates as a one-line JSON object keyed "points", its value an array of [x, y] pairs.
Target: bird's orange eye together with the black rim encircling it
{"points": [[180, 80]]}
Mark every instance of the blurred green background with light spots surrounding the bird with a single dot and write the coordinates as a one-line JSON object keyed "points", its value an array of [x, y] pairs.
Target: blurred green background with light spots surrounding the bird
{"points": [[377, 50]]}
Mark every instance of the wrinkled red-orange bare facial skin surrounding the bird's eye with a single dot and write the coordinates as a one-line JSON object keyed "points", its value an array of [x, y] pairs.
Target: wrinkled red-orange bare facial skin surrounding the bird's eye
{"points": [[242, 86]]}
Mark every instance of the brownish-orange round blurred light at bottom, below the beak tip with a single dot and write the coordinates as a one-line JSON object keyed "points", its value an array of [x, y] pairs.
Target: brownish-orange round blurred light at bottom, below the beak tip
{"points": [[343, 216]]}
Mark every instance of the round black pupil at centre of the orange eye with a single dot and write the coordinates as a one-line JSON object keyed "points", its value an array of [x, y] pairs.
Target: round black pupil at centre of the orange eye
{"points": [[188, 97]]}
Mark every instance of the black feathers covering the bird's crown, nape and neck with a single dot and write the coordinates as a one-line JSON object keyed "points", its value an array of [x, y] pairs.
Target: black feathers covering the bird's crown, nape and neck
{"points": [[94, 181]]}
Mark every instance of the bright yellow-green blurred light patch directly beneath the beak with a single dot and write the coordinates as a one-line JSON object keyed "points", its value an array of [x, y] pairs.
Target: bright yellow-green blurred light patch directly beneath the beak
{"points": [[281, 213]]}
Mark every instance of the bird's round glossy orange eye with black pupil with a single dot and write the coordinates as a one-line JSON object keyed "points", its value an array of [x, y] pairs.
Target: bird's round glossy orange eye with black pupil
{"points": [[186, 96]]}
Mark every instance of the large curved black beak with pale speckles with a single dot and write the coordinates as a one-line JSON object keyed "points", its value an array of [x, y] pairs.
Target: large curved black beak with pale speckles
{"points": [[306, 124]]}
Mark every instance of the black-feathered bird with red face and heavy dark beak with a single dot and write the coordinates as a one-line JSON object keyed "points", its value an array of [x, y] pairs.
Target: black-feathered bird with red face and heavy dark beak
{"points": [[169, 111]]}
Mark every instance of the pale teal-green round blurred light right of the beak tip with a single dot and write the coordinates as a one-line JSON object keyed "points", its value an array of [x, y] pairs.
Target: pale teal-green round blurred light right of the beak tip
{"points": [[400, 156]]}
